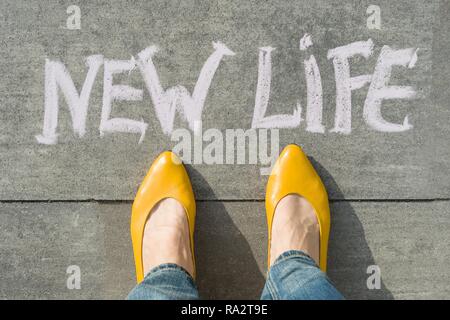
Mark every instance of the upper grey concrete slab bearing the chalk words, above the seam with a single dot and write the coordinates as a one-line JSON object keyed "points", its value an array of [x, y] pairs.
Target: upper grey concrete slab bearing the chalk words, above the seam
{"points": [[366, 164]]}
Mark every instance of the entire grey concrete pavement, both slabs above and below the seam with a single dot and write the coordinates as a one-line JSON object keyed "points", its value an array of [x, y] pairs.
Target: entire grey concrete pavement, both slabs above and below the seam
{"points": [[390, 191]]}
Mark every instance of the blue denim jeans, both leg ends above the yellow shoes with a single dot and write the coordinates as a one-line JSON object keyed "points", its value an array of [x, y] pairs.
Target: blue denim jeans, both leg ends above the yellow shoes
{"points": [[293, 276]]}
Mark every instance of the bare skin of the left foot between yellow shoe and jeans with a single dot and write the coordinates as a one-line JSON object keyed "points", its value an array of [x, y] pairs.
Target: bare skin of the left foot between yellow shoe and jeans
{"points": [[166, 237]]}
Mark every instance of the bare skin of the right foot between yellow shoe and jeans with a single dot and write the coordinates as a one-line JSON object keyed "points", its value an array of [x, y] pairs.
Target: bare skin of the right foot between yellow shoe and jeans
{"points": [[295, 227]]}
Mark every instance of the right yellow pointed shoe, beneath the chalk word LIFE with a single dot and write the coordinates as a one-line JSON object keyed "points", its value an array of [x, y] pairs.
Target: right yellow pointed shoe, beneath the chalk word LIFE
{"points": [[294, 174]]}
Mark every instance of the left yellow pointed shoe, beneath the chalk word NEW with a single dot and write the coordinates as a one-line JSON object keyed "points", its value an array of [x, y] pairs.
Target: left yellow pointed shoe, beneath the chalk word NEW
{"points": [[167, 178]]}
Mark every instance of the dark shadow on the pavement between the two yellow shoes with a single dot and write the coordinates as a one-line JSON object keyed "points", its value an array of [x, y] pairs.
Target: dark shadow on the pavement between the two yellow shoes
{"points": [[226, 266]]}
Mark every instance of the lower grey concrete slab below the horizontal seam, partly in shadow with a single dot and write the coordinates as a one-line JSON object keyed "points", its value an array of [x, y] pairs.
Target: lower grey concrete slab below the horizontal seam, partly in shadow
{"points": [[39, 241]]}
